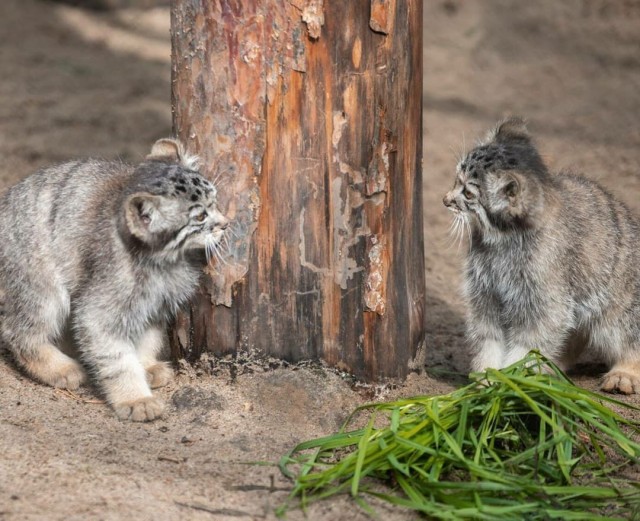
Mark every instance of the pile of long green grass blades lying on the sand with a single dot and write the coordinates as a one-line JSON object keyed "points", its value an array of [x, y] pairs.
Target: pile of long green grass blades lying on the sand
{"points": [[519, 443]]}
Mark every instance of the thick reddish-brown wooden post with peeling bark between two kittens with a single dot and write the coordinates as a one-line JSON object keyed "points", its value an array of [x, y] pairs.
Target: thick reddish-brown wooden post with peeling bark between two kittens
{"points": [[308, 115]]}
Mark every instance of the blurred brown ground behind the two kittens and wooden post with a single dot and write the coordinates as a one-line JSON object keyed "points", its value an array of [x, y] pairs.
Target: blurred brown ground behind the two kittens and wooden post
{"points": [[92, 78]]}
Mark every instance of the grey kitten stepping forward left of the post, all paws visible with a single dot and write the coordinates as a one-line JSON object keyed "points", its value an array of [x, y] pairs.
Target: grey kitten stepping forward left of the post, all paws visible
{"points": [[114, 250]]}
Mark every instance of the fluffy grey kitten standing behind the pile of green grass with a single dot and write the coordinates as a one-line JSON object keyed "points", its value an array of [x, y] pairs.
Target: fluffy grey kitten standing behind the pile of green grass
{"points": [[553, 264]]}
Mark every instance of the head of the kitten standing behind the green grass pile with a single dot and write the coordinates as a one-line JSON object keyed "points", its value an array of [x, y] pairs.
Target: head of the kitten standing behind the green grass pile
{"points": [[497, 186]]}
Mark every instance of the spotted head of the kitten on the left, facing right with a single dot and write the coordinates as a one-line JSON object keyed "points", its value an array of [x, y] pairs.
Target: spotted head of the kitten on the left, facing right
{"points": [[172, 209]]}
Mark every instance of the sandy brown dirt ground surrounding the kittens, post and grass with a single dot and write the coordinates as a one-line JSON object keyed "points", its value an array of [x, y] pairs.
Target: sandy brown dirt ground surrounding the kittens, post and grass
{"points": [[85, 83]]}
